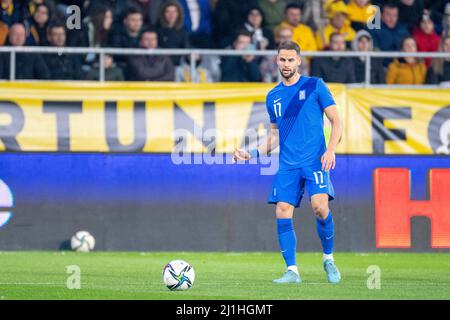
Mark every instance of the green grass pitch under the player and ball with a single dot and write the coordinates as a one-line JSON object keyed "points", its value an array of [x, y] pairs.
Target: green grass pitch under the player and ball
{"points": [[133, 275]]}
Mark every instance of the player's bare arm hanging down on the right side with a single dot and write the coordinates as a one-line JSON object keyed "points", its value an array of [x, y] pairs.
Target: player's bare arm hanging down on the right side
{"points": [[329, 157]]}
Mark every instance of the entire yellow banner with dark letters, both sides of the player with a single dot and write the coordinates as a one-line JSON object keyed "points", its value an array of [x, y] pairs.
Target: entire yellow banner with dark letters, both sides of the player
{"points": [[166, 117]]}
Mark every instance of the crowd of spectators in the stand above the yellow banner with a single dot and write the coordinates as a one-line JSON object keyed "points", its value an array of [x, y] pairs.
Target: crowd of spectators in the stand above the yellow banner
{"points": [[334, 25]]}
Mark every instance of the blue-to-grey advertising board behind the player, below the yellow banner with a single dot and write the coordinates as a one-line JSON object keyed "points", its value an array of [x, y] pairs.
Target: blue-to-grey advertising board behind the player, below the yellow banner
{"points": [[145, 202]]}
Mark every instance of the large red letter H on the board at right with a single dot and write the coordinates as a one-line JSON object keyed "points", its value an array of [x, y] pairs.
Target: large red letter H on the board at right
{"points": [[394, 209]]}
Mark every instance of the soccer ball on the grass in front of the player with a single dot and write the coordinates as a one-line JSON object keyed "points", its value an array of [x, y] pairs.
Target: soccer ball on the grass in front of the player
{"points": [[178, 275]]}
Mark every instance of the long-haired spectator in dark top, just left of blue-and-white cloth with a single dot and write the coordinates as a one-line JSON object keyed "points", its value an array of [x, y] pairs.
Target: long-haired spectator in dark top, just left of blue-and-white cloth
{"points": [[171, 33]]}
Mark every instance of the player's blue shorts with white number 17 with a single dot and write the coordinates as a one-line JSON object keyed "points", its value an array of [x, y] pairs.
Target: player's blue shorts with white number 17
{"points": [[289, 185]]}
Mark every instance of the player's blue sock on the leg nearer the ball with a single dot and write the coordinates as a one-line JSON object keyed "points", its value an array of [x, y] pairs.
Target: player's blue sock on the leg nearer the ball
{"points": [[288, 242]]}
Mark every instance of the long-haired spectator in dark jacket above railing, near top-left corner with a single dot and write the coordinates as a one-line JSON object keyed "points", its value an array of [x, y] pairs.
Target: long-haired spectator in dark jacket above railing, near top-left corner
{"points": [[37, 26]]}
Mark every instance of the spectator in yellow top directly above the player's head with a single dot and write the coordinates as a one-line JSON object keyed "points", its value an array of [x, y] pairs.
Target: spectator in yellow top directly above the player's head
{"points": [[302, 34]]}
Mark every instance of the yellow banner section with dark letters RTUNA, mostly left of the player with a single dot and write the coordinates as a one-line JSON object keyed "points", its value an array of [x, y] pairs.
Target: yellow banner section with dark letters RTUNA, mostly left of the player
{"points": [[132, 117]]}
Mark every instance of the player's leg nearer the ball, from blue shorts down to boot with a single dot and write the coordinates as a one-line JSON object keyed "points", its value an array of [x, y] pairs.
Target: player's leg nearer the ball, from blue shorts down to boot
{"points": [[286, 194]]}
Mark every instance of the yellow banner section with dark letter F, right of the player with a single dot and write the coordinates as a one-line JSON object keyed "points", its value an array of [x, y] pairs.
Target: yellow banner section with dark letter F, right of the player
{"points": [[398, 121]]}
